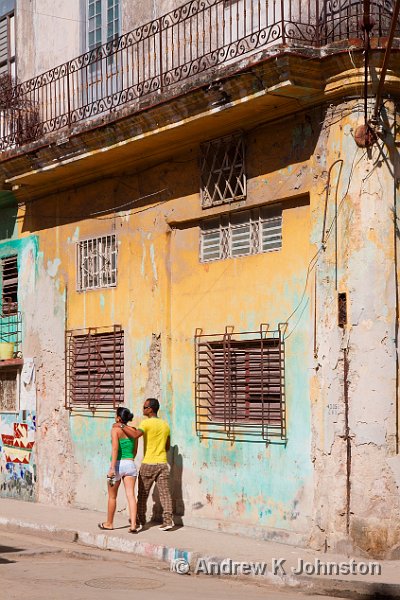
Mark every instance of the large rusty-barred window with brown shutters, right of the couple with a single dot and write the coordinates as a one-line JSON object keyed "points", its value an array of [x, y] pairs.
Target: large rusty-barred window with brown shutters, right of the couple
{"points": [[240, 385]]}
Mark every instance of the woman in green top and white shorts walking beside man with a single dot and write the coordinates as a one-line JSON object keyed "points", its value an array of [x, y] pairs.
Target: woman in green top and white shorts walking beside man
{"points": [[122, 467]]}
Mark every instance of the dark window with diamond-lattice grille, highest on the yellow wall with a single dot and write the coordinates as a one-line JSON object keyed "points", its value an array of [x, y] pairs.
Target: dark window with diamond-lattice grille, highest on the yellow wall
{"points": [[223, 177]]}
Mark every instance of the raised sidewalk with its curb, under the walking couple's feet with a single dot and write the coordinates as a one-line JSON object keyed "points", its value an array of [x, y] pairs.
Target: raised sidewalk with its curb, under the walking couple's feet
{"points": [[191, 545]]}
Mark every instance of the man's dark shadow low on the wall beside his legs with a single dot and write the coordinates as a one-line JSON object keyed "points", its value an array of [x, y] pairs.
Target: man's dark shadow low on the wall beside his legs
{"points": [[175, 462]]}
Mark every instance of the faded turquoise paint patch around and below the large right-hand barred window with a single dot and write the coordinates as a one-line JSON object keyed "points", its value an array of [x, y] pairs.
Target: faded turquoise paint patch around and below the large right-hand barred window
{"points": [[244, 481]]}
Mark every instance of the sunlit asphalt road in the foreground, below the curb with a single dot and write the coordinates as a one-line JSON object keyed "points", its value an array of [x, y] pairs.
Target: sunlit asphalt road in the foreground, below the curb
{"points": [[38, 569]]}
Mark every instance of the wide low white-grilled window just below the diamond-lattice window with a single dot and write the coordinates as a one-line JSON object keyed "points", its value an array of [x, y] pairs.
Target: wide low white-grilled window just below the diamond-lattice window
{"points": [[241, 234]]}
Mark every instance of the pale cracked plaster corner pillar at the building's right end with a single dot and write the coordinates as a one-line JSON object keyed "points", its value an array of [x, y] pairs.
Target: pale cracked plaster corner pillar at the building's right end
{"points": [[364, 501]]}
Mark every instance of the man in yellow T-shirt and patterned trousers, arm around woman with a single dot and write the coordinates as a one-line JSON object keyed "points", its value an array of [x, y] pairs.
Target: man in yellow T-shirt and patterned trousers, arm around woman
{"points": [[154, 468]]}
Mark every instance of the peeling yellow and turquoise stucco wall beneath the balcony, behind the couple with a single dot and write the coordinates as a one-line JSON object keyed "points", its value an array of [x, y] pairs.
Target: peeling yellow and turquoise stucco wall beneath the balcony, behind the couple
{"points": [[339, 471]]}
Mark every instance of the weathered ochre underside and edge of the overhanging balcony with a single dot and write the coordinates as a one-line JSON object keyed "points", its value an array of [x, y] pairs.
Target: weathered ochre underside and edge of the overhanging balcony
{"points": [[141, 134]]}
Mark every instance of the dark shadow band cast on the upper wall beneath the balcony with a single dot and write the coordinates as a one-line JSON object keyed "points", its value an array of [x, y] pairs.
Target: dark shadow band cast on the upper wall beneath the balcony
{"points": [[272, 148]]}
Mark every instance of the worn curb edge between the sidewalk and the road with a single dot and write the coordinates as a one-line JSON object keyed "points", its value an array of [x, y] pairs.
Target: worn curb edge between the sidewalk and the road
{"points": [[360, 590]]}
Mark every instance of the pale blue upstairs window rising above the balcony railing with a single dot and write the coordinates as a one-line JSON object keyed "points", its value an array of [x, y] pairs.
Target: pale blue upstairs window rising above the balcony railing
{"points": [[103, 22]]}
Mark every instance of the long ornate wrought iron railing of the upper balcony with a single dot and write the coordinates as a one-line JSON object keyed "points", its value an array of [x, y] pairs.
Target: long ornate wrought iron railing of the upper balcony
{"points": [[188, 41]]}
